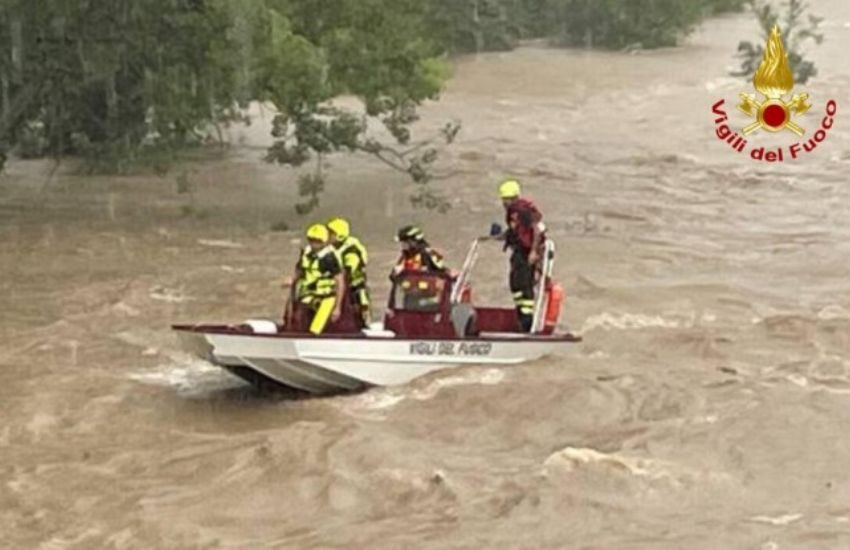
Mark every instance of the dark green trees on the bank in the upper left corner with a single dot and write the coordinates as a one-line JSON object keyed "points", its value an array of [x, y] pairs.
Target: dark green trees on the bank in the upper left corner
{"points": [[102, 78]]}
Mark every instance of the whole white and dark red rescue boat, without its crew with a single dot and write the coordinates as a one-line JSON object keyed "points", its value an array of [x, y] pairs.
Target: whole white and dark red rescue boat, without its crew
{"points": [[430, 324]]}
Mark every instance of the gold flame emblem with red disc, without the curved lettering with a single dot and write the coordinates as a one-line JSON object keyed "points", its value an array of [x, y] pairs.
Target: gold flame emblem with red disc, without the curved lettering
{"points": [[774, 79]]}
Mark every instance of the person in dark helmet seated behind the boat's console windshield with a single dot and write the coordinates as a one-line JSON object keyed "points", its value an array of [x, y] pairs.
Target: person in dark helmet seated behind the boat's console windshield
{"points": [[417, 255]]}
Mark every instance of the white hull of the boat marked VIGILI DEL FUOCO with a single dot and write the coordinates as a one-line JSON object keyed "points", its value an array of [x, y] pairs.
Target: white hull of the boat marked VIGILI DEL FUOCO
{"points": [[328, 365]]}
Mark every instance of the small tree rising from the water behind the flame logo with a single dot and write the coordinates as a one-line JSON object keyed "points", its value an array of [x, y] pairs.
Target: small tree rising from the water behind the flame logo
{"points": [[797, 29]]}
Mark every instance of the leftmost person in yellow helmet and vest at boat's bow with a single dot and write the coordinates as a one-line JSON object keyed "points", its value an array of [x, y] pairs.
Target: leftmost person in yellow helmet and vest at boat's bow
{"points": [[320, 282]]}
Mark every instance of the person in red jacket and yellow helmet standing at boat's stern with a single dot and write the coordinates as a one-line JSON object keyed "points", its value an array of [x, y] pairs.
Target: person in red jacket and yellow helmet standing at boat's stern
{"points": [[525, 236]]}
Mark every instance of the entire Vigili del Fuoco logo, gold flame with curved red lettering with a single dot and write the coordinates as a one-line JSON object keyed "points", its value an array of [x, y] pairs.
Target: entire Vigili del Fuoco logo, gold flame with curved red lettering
{"points": [[774, 81]]}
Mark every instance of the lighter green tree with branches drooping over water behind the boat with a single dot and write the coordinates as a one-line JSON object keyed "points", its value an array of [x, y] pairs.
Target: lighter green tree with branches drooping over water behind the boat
{"points": [[375, 50]]}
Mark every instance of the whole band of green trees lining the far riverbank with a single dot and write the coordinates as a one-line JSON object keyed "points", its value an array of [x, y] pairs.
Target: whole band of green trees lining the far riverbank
{"points": [[115, 81]]}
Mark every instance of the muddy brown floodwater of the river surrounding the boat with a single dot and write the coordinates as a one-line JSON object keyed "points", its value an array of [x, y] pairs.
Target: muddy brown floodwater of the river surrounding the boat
{"points": [[707, 407]]}
